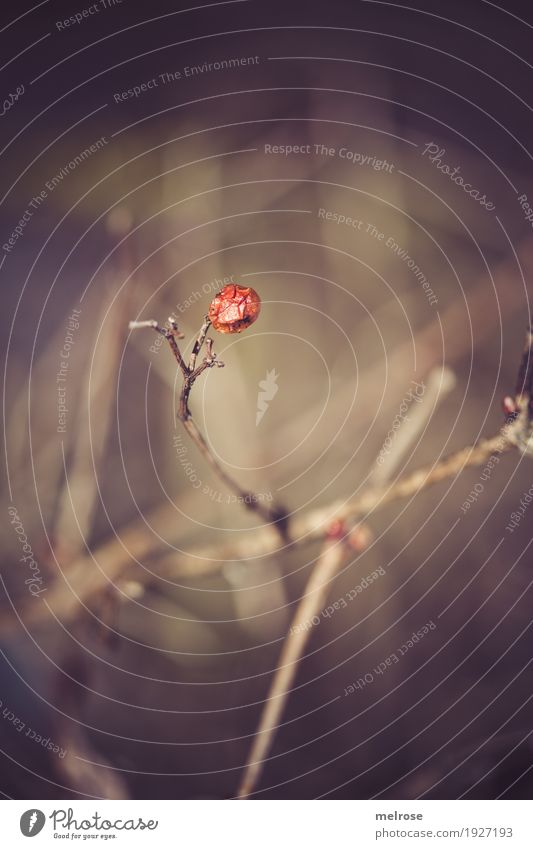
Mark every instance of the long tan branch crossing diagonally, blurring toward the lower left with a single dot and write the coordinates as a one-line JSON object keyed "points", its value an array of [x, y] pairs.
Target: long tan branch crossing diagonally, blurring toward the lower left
{"points": [[115, 557]]}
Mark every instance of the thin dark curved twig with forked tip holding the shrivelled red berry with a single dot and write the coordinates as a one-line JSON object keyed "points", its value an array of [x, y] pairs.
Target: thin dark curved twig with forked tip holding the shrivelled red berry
{"points": [[190, 373]]}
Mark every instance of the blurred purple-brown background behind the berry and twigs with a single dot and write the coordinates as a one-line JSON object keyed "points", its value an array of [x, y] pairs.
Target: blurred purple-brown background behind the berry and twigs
{"points": [[148, 654]]}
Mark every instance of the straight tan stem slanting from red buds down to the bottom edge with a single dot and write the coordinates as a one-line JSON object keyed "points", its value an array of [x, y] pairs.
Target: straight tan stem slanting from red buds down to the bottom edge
{"points": [[331, 558]]}
